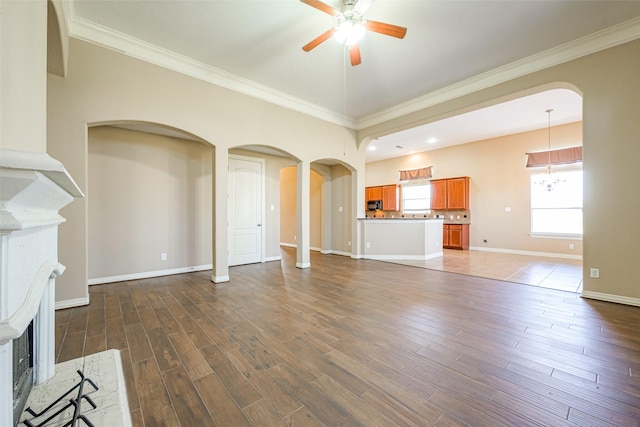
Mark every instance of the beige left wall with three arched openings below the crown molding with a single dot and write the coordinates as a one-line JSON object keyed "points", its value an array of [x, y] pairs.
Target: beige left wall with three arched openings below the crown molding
{"points": [[104, 87]]}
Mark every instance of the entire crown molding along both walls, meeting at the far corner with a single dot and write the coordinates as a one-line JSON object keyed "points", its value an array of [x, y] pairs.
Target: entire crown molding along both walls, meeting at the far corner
{"points": [[93, 33]]}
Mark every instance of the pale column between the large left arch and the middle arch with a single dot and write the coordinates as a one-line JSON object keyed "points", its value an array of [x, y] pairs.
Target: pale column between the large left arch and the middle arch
{"points": [[220, 239]]}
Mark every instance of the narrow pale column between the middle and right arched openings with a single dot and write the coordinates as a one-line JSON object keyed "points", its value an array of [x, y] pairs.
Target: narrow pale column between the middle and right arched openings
{"points": [[303, 256]]}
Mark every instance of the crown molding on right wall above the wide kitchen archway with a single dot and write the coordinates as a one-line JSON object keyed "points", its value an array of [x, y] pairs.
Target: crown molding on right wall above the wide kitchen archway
{"points": [[592, 43]]}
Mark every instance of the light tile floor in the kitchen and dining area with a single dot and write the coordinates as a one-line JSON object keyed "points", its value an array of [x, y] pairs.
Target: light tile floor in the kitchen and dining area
{"points": [[554, 273]]}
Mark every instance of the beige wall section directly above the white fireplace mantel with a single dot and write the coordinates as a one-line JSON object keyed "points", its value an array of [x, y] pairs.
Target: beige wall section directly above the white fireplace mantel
{"points": [[23, 81]]}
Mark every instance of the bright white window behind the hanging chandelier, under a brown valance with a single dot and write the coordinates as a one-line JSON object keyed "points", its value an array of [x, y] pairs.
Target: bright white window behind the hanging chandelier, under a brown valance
{"points": [[557, 213]]}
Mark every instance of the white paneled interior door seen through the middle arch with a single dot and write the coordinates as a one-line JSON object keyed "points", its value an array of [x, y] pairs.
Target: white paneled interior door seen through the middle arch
{"points": [[246, 188]]}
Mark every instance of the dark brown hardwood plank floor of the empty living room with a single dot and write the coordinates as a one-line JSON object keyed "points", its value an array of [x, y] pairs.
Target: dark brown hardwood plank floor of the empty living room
{"points": [[358, 342]]}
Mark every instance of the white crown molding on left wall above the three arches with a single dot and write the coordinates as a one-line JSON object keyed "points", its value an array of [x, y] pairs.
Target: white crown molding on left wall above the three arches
{"points": [[91, 32]]}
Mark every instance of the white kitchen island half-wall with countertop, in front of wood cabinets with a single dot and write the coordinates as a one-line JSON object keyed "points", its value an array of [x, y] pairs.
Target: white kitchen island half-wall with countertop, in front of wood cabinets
{"points": [[401, 238]]}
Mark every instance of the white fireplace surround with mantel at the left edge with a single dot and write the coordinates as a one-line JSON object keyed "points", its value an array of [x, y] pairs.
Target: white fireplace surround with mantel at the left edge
{"points": [[33, 188]]}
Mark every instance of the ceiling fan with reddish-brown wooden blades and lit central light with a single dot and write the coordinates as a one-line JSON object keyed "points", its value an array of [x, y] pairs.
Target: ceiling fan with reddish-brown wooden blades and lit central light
{"points": [[351, 26]]}
